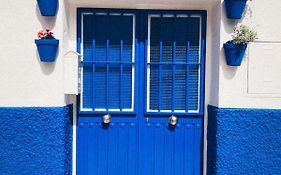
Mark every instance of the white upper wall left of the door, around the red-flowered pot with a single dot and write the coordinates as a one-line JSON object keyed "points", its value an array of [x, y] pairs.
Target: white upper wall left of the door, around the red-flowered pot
{"points": [[25, 81]]}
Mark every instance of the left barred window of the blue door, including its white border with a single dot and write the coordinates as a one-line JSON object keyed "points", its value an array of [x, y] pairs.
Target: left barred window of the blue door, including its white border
{"points": [[108, 62]]}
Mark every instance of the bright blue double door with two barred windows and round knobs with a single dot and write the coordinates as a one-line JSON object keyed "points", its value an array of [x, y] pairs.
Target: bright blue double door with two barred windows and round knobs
{"points": [[139, 69]]}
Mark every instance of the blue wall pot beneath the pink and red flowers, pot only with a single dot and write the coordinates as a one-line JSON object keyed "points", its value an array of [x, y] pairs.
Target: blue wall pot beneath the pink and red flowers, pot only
{"points": [[47, 49]]}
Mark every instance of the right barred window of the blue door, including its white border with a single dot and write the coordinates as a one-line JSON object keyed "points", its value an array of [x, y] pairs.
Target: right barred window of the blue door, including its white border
{"points": [[175, 63]]}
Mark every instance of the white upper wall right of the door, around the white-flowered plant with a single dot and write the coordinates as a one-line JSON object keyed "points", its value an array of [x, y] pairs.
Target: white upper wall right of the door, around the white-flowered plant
{"points": [[264, 17]]}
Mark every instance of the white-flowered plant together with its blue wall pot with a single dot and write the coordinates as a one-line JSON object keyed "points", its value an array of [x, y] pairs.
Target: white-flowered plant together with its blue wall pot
{"points": [[235, 49]]}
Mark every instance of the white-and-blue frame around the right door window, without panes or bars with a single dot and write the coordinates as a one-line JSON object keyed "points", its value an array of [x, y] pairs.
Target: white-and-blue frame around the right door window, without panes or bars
{"points": [[202, 41]]}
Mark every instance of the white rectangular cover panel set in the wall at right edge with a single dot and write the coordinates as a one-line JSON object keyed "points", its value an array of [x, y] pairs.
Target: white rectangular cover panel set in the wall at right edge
{"points": [[263, 78]]}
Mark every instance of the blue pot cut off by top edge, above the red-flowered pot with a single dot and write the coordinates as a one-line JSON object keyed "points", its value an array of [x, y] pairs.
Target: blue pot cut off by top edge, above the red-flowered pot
{"points": [[48, 7]]}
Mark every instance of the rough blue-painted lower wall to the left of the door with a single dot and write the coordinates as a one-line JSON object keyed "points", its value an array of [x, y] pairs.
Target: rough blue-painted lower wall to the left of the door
{"points": [[35, 141]]}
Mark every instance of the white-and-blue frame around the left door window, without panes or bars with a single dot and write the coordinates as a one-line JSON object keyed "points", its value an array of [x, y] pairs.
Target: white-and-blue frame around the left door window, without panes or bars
{"points": [[109, 12]]}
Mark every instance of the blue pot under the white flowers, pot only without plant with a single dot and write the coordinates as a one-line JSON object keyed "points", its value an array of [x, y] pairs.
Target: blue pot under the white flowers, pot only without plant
{"points": [[234, 53]]}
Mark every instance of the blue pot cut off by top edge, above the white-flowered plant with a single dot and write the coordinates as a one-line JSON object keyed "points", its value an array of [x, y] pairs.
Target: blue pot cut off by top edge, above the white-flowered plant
{"points": [[234, 8]]}
